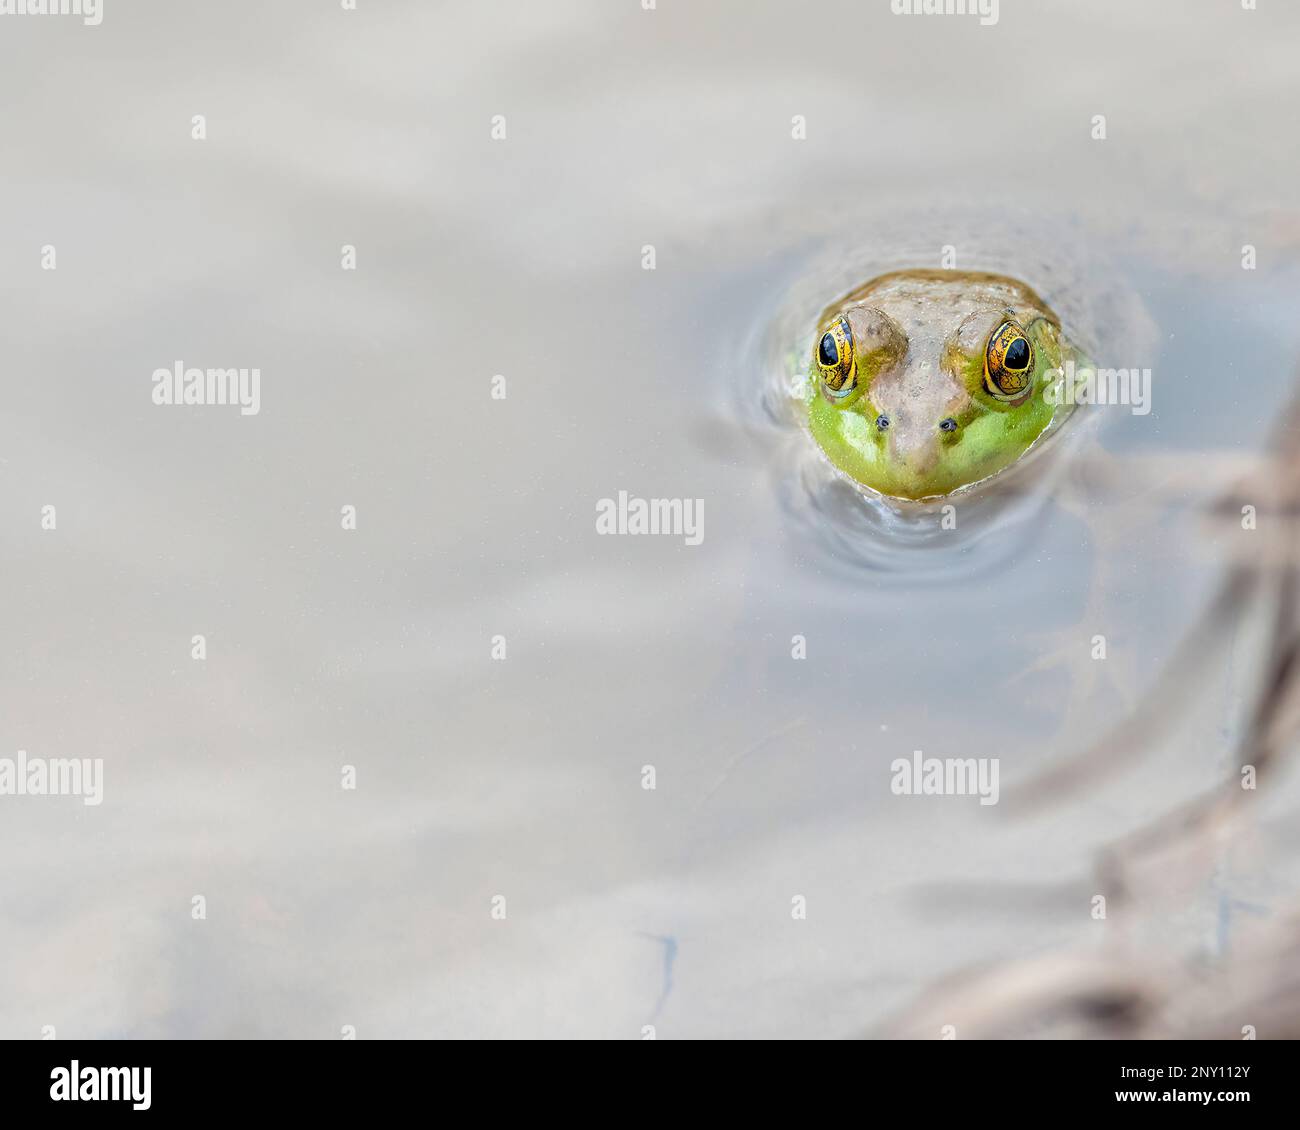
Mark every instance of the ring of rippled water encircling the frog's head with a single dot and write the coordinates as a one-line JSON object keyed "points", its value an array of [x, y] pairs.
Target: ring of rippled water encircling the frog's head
{"points": [[976, 530]]}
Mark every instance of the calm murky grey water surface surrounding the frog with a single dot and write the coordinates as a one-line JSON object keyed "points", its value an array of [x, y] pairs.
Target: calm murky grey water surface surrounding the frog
{"points": [[523, 777]]}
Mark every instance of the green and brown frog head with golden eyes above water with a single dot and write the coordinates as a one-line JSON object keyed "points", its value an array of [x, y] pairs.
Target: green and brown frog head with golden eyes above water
{"points": [[926, 383]]}
